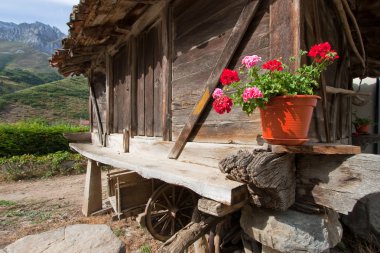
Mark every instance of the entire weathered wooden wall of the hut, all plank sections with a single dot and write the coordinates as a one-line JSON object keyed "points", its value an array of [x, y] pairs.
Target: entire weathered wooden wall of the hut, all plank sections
{"points": [[199, 32]]}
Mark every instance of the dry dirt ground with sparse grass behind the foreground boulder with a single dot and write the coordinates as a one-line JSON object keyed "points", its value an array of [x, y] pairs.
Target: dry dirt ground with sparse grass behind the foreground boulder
{"points": [[29, 207]]}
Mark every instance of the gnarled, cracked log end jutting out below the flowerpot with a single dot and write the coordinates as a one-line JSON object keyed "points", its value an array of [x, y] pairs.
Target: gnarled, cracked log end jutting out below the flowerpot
{"points": [[270, 177]]}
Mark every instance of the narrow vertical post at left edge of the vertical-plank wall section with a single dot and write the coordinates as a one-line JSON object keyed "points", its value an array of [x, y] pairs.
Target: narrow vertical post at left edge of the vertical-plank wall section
{"points": [[109, 94]]}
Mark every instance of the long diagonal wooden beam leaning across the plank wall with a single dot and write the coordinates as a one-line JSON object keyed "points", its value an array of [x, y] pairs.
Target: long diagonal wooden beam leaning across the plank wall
{"points": [[228, 52]]}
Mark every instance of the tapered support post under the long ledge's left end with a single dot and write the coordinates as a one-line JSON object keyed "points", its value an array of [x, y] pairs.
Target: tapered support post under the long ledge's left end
{"points": [[92, 189]]}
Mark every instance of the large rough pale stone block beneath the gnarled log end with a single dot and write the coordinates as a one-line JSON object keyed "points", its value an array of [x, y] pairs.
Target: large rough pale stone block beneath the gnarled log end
{"points": [[292, 231]]}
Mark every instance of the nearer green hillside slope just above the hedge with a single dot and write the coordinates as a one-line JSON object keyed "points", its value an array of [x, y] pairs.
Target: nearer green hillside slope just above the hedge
{"points": [[65, 100]]}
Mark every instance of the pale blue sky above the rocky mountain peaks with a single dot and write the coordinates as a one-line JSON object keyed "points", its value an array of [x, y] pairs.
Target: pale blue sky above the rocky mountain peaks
{"points": [[52, 12]]}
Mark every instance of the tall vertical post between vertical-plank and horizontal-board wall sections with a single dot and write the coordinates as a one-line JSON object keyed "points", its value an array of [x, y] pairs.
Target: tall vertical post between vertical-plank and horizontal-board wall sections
{"points": [[167, 44]]}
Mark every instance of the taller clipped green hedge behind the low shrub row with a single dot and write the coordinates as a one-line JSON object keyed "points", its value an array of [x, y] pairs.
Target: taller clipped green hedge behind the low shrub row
{"points": [[34, 137]]}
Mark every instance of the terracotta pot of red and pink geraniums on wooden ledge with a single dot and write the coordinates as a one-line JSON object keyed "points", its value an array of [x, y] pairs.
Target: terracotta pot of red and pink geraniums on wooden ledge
{"points": [[285, 97]]}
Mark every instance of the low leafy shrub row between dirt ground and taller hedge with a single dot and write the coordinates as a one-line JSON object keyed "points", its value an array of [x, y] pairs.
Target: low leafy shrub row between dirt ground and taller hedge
{"points": [[32, 166]]}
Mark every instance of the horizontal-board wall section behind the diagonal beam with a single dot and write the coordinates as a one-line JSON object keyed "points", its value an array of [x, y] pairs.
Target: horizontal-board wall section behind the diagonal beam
{"points": [[201, 30]]}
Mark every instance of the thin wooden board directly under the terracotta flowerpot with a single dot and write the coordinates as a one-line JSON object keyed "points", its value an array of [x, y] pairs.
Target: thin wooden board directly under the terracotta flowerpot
{"points": [[318, 148]]}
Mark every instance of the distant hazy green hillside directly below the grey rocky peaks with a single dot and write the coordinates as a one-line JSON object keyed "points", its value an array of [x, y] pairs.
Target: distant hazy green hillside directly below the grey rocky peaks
{"points": [[22, 67]]}
